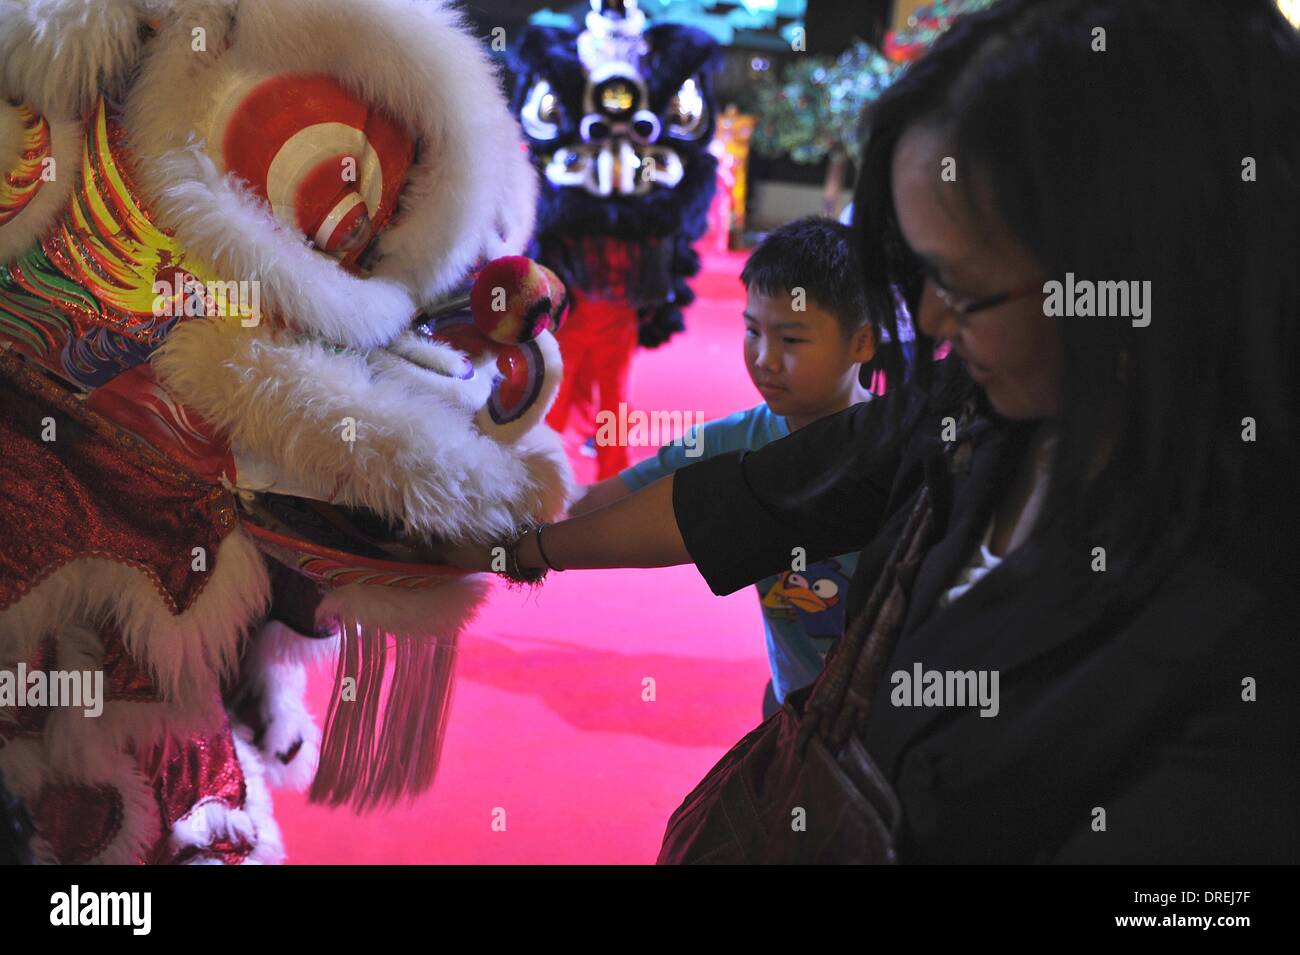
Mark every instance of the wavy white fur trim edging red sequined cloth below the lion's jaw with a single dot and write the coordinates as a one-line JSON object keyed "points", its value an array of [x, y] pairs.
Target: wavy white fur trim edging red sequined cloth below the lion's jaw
{"points": [[180, 650]]}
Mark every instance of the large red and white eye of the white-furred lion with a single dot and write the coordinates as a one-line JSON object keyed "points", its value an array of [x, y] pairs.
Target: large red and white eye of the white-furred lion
{"points": [[322, 158]]}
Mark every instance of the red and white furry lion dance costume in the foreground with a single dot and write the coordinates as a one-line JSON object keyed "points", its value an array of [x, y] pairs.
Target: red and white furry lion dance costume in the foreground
{"points": [[242, 390]]}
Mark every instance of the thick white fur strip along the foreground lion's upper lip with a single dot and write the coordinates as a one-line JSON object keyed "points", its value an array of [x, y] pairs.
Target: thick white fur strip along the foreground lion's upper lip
{"points": [[415, 459]]}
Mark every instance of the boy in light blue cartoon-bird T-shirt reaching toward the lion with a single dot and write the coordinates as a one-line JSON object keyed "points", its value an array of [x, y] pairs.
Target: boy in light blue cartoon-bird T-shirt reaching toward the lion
{"points": [[807, 338]]}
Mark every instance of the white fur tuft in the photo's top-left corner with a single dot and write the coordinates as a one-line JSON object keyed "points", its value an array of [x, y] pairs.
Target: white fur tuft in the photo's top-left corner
{"points": [[58, 55]]}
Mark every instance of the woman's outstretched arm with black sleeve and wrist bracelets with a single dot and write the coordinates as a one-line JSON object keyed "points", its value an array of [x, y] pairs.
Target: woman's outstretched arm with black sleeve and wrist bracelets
{"points": [[736, 516]]}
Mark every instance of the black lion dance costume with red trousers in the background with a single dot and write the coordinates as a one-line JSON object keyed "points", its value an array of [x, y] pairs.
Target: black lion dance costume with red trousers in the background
{"points": [[618, 119]]}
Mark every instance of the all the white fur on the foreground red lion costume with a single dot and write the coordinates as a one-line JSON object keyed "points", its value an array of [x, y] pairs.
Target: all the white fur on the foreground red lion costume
{"points": [[419, 458]]}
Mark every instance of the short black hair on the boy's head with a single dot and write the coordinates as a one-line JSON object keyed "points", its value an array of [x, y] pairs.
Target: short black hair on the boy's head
{"points": [[818, 255]]}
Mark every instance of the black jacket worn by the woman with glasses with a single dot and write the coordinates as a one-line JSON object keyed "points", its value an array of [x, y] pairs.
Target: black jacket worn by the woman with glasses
{"points": [[1137, 713]]}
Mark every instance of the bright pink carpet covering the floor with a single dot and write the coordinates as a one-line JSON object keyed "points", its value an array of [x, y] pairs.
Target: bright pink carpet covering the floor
{"points": [[549, 730]]}
